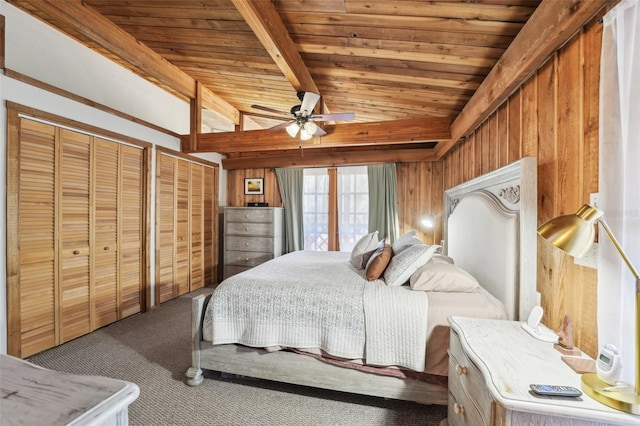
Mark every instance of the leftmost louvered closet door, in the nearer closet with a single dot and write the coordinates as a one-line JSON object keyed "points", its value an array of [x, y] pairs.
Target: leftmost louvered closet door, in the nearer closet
{"points": [[37, 261]]}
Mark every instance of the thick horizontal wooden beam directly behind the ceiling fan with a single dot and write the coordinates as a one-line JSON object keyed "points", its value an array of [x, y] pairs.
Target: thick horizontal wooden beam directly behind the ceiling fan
{"points": [[347, 134]]}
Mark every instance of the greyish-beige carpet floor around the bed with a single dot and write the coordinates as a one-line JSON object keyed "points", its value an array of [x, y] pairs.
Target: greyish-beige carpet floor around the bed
{"points": [[153, 351]]}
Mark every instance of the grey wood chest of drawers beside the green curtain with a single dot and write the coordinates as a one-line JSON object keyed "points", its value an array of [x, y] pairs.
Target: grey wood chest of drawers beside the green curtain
{"points": [[252, 235]]}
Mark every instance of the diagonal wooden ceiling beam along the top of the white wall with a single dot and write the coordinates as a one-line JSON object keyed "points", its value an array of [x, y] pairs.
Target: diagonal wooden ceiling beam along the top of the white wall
{"points": [[99, 29]]}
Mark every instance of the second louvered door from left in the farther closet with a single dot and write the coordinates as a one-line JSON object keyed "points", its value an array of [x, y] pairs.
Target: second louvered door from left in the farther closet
{"points": [[183, 228]]}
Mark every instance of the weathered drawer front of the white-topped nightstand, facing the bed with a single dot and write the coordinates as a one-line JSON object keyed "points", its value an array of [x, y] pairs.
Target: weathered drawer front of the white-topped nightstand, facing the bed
{"points": [[469, 399]]}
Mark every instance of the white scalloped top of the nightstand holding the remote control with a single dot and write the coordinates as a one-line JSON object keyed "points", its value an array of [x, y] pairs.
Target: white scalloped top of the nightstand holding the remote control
{"points": [[510, 360]]}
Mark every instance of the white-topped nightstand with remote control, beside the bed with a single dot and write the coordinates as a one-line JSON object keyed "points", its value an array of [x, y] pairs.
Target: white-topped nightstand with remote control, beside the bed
{"points": [[491, 365]]}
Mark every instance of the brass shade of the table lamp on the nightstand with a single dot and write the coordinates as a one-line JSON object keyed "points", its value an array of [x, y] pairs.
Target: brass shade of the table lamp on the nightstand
{"points": [[572, 233]]}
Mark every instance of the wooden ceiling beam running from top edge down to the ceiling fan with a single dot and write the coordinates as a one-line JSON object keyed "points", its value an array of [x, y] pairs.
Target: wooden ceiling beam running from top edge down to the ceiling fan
{"points": [[263, 19]]}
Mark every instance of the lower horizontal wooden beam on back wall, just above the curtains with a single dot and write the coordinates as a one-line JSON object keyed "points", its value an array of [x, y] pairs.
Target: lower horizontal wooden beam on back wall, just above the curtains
{"points": [[317, 158]]}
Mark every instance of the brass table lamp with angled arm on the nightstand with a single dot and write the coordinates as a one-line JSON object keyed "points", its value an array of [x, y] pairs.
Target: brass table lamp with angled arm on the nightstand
{"points": [[574, 234]]}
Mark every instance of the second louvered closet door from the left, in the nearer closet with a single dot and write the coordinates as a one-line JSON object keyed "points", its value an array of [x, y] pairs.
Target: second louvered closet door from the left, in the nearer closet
{"points": [[74, 242]]}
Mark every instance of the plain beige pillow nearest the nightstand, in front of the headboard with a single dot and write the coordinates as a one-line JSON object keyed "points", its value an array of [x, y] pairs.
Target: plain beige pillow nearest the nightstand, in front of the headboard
{"points": [[442, 276]]}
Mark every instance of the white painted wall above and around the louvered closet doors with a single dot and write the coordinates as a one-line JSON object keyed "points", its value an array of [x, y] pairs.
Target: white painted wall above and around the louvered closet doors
{"points": [[38, 51]]}
